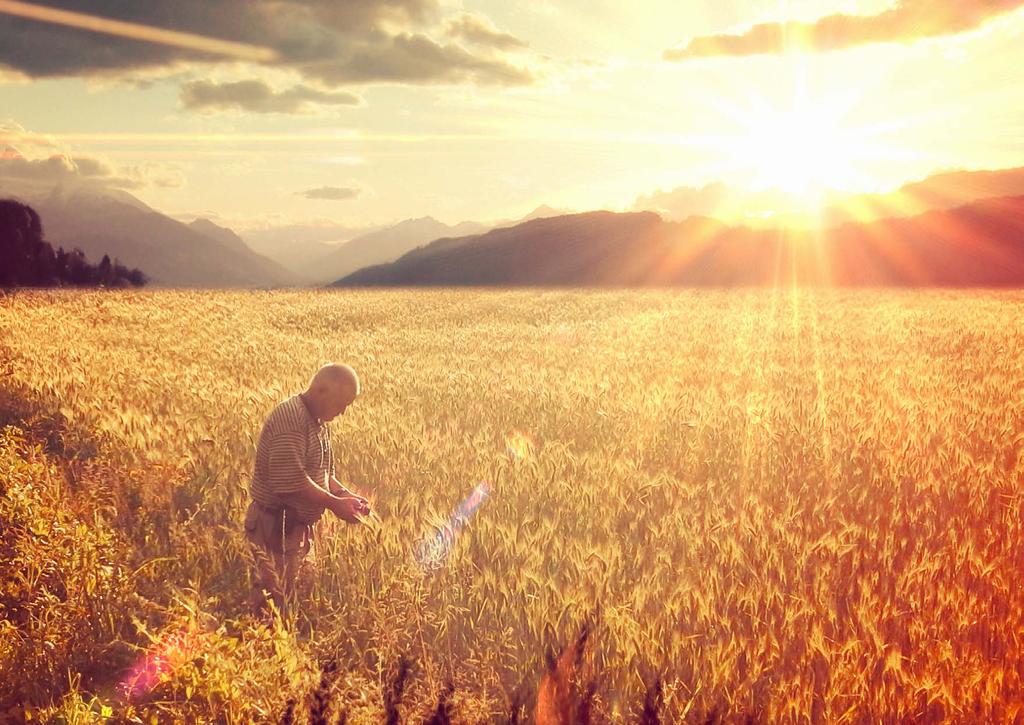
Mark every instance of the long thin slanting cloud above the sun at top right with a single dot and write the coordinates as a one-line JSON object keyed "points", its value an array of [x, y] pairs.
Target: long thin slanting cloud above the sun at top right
{"points": [[909, 20]]}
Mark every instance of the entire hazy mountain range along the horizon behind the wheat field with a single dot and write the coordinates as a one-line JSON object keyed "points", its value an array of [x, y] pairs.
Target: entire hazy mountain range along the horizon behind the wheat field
{"points": [[954, 229]]}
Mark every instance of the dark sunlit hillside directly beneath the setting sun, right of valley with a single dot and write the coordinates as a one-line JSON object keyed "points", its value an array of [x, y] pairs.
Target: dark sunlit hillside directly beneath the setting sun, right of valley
{"points": [[979, 244]]}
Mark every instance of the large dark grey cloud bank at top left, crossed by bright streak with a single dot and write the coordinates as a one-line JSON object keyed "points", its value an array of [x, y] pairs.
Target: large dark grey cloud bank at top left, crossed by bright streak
{"points": [[337, 44]]}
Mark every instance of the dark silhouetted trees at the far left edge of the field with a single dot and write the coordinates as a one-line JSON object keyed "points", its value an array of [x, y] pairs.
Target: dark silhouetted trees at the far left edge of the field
{"points": [[28, 261]]}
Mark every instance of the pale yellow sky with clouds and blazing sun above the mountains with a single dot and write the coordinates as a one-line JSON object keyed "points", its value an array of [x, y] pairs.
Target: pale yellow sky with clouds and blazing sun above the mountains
{"points": [[369, 112]]}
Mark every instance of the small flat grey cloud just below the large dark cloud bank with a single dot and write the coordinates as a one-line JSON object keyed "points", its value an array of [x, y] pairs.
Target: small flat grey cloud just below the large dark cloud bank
{"points": [[259, 97]]}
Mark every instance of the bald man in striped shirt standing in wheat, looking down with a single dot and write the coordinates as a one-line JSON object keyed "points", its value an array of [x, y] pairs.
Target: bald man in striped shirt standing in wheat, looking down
{"points": [[293, 483]]}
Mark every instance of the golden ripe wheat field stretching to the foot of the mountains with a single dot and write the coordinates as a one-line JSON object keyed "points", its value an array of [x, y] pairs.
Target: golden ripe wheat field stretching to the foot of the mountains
{"points": [[789, 505]]}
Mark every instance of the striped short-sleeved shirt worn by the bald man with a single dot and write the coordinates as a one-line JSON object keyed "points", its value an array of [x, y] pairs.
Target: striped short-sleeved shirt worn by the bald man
{"points": [[292, 445]]}
